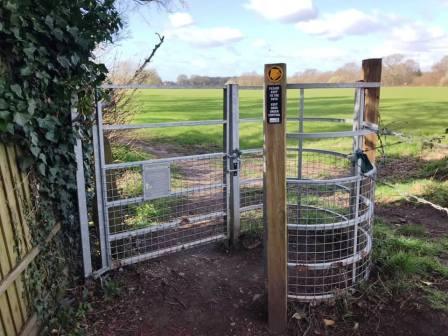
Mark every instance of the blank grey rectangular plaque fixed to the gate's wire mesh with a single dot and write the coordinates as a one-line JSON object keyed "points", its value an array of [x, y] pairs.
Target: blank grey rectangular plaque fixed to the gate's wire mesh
{"points": [[156, 181]]}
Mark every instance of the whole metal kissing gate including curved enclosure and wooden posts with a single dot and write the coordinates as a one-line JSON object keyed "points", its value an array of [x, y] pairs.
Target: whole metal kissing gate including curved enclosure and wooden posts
{"points": [[315, 204]]}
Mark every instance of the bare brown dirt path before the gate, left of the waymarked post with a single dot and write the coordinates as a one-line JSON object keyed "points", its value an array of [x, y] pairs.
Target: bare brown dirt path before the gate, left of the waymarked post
{"points": [[206, 291]]}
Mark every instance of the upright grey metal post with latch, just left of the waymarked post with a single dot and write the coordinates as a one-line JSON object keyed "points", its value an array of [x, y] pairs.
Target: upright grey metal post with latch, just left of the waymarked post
{"points": [[233, 117]]}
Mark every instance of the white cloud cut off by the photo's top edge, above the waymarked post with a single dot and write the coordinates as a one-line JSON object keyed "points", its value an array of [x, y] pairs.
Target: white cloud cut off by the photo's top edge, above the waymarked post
{"points": [[284, 10]]}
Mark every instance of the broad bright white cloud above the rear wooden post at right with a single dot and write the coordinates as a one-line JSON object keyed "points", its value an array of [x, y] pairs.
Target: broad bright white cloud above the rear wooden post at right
{"points": [[347, 22]]}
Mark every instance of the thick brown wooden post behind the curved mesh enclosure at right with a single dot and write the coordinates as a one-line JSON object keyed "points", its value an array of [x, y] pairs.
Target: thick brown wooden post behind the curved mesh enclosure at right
{"points": [[371, 73]]}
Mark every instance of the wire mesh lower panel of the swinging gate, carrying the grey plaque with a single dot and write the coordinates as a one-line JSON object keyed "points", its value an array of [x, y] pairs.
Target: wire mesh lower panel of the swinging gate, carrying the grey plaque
{"points": [[188, 207]]}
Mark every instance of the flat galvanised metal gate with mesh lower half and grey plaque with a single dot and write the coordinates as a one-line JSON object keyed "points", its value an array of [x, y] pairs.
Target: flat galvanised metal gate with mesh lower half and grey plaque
{"points": [[155, 207]]}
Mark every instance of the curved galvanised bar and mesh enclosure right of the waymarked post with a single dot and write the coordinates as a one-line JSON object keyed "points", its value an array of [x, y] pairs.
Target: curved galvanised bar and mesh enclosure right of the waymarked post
{"points": [[330, 202]]}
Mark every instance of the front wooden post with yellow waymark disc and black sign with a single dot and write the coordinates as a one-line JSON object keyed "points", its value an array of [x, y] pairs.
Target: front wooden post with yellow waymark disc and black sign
{"points": [[275, 193]]}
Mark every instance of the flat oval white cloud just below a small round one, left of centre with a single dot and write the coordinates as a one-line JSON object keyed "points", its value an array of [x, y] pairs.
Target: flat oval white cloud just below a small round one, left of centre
{"points": [[206, 37]]}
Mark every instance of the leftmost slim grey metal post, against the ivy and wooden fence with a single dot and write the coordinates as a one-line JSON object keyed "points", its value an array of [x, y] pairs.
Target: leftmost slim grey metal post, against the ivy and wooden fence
{"points": [[81, 191]]}
